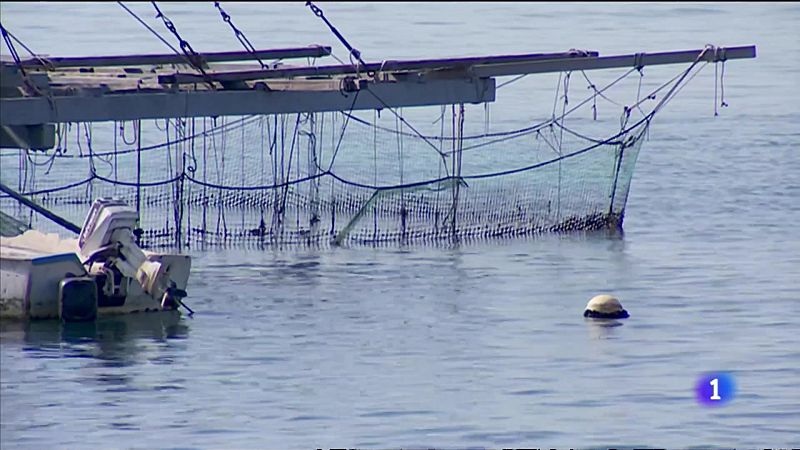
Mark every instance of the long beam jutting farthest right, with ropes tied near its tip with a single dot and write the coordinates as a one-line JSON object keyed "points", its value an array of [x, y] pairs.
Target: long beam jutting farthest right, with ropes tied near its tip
{"points": [[609, 62]]}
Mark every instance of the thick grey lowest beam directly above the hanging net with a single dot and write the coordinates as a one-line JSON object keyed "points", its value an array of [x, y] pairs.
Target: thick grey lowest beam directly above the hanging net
{"points": [[132, 106]]}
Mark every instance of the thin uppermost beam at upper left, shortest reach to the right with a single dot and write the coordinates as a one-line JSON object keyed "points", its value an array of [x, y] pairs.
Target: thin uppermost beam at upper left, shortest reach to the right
{"points": [[314, 51]]}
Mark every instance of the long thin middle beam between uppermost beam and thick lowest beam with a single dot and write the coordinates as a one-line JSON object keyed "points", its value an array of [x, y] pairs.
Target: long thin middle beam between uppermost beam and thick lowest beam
{"points": [[385, 66]]}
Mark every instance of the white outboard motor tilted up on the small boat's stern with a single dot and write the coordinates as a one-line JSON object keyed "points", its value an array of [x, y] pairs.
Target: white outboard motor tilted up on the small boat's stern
{"points": [[107, 248]]}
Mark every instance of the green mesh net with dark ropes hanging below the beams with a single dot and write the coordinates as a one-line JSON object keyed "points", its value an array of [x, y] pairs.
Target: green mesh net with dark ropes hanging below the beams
{"points": [[342, 177]]}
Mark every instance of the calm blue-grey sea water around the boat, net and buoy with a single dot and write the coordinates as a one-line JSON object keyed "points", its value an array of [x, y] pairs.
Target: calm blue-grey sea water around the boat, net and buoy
{"points": [[480, 344]]}
